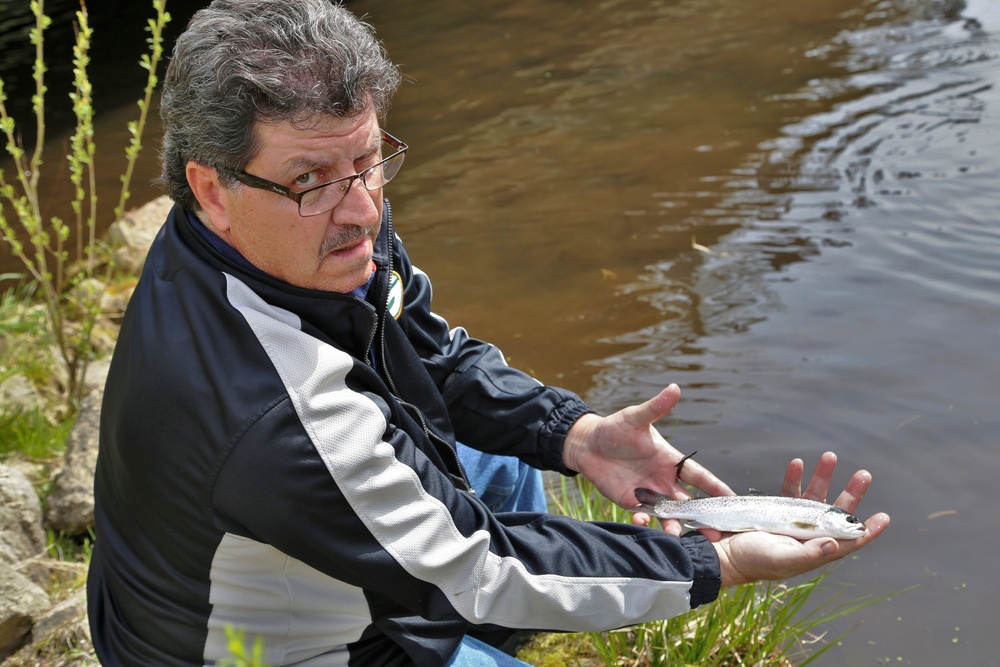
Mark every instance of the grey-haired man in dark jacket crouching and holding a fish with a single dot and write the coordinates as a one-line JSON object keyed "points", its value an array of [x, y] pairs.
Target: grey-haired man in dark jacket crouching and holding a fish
{"points": [[279, 434]]}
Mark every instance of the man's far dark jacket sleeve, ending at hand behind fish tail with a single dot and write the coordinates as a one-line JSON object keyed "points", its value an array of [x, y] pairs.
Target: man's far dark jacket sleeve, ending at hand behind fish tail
{"points": [[493, 407]]}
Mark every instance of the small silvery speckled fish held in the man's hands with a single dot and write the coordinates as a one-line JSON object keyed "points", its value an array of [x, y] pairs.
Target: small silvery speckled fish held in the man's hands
{"points": [[800, 518]]}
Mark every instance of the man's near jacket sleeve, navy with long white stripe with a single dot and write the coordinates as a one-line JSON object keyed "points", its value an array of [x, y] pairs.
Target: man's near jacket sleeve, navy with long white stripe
{"points": [[332, 476]]}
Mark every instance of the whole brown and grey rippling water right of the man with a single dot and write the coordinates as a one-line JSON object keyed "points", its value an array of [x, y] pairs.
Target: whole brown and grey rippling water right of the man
{"points": [[787, 208]]}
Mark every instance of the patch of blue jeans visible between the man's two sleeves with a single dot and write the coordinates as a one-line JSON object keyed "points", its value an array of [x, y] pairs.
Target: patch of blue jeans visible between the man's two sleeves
{"points": [[504, 483]]}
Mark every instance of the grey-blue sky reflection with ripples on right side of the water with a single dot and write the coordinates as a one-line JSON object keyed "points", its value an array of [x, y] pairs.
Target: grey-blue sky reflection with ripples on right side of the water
{"points": [[855, 308]]}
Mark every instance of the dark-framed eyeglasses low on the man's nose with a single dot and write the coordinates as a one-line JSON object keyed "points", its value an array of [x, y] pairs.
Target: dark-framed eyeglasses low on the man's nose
{"points": [[323, 198]]}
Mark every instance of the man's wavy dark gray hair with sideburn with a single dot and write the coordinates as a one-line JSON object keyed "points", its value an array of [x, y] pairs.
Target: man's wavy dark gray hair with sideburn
{"points": [[244, 62]]}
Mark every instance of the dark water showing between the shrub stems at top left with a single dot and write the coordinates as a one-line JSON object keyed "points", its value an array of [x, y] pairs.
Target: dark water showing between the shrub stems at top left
{"points": [[118, 41]]}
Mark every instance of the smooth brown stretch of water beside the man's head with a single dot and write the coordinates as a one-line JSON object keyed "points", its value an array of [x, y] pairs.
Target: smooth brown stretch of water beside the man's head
{"points": [[572, 153]]}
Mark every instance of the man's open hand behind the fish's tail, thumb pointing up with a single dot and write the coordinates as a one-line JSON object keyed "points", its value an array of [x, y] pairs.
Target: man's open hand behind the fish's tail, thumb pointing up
{"points": [[623, 451]]}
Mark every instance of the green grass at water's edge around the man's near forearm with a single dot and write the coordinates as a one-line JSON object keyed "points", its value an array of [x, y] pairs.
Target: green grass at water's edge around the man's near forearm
{"points": [[754, 625]]}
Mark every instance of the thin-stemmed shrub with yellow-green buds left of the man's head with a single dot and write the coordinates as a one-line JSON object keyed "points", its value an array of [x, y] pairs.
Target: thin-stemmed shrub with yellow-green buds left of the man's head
{"points": [[68, 291]]}
